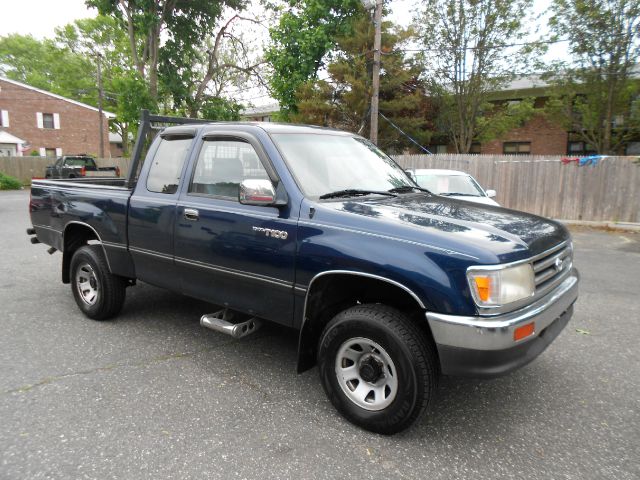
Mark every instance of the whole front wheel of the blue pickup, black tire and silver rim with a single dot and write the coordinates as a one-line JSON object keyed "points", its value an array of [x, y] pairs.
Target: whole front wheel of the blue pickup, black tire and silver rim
{"points": [[411, 355]]}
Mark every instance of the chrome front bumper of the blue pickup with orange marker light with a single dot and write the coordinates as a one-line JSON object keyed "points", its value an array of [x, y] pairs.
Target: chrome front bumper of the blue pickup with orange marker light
{"points": [[485, 346]]}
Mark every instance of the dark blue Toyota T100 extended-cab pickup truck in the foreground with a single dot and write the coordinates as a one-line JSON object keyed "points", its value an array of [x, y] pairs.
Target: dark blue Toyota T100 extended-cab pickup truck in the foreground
{"points": [[388, 285]]}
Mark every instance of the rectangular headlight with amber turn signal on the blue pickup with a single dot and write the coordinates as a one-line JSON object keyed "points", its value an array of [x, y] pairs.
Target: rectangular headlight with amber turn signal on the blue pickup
{"points": [[495, 287]]}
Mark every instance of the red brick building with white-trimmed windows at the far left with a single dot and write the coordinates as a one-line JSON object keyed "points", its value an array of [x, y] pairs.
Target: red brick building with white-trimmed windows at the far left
{"points": [[37, 122]]}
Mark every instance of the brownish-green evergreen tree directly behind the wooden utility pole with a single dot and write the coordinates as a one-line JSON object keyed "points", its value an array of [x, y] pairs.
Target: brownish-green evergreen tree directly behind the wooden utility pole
{"points": [[343, 100]]}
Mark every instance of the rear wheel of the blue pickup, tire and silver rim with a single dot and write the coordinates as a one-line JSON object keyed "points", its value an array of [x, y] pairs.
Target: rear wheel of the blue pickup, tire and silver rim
{"points": [[89, 268]]}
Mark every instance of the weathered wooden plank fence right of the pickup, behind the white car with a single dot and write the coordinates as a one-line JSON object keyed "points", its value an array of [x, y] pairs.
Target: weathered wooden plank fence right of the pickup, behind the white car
{"points": [[607, 191]]}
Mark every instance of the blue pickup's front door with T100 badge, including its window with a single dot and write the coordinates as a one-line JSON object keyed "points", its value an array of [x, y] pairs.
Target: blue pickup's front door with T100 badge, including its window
{"points": [[222, 249]]}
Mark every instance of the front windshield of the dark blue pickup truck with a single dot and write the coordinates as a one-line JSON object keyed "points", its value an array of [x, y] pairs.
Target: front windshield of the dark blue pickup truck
{"points": [[323, 164]]}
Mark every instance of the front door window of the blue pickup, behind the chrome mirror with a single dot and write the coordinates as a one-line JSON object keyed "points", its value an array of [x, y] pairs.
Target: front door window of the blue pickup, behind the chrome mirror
{"points": [[222, 165]]}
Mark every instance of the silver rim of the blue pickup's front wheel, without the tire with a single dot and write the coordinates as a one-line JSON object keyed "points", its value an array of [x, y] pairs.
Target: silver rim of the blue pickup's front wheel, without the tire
{"points": [[366, 373]]}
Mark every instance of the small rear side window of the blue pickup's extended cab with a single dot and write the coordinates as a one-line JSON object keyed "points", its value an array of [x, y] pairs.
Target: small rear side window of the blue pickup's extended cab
{"points": [[164, 174]]}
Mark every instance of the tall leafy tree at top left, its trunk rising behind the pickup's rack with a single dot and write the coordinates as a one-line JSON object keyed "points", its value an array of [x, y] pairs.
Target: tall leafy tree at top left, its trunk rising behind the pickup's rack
{"points": [[183, 23]]}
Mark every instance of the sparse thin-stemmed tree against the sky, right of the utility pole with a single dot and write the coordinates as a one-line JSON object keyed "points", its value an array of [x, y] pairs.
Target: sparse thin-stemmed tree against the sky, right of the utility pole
{"points": [[467, 56]]}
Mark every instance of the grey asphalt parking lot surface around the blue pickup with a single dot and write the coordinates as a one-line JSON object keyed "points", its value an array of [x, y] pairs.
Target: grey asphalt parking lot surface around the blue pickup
{"points": [[154, 395]]}
